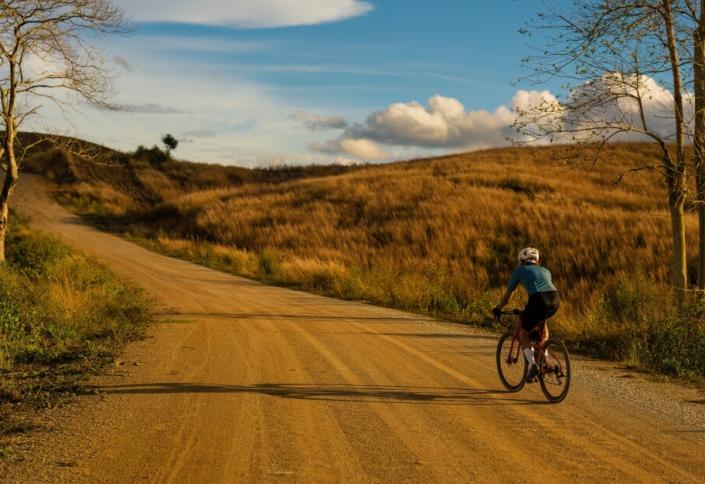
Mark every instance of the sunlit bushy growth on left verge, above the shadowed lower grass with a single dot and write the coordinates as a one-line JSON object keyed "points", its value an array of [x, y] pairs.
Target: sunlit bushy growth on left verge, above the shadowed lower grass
{"points": [[58, 305]]}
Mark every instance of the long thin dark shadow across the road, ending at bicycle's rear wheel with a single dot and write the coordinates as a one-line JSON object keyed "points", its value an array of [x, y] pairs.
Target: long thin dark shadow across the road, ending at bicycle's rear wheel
{"points": [[341, 393]]}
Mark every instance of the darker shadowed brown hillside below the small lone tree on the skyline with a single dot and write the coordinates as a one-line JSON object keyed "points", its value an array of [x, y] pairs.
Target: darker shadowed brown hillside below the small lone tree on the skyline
{"points": [[132, 182]]}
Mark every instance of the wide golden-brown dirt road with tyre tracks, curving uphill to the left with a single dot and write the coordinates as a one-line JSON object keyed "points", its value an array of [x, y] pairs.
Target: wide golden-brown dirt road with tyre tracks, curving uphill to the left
{"points": [[244, 382]]}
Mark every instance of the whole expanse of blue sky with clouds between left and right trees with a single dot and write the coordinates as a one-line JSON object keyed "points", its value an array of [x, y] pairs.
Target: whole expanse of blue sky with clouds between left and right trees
{"points": [[258, 82]]}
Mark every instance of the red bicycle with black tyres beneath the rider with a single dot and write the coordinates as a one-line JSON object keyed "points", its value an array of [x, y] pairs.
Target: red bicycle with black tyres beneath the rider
{"points": [[552, 359]]}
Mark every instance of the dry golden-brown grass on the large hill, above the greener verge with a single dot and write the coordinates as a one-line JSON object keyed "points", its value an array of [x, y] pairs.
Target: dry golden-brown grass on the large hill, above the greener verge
{"points": [[456, 222]]}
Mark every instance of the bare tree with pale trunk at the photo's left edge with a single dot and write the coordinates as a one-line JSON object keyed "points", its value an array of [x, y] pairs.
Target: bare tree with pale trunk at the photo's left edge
{"points": [[44, 56]]}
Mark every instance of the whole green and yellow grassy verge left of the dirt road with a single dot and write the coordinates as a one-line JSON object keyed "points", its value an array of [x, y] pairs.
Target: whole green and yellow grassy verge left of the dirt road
{"points": [[62, 317]]}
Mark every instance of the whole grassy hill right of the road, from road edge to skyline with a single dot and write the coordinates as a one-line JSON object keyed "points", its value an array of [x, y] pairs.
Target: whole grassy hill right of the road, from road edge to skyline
{"points": [[436, 236]]}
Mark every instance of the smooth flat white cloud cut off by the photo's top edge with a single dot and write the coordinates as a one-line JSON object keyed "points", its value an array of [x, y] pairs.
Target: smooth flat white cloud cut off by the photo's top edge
{"points": [[245, 13]]}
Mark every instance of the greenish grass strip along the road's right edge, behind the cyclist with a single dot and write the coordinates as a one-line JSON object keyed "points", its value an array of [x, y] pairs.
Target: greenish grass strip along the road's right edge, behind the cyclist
{"points": [[633, 321]]}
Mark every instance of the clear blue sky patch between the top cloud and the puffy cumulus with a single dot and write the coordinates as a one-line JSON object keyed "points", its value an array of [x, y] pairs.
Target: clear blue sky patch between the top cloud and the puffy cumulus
{"points": [[402, 48]]}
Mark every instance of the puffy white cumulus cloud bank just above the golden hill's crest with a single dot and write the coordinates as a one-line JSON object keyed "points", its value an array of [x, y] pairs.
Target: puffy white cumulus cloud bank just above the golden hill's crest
{"points": [[445, 123]]}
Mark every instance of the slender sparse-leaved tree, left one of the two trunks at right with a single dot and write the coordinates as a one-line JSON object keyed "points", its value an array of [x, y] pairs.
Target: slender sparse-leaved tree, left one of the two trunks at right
{"points": [[623, 63]]}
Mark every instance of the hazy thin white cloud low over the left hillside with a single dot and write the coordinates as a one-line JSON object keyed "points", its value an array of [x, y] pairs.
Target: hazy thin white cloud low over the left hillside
{"points": [[178, 97]]}
